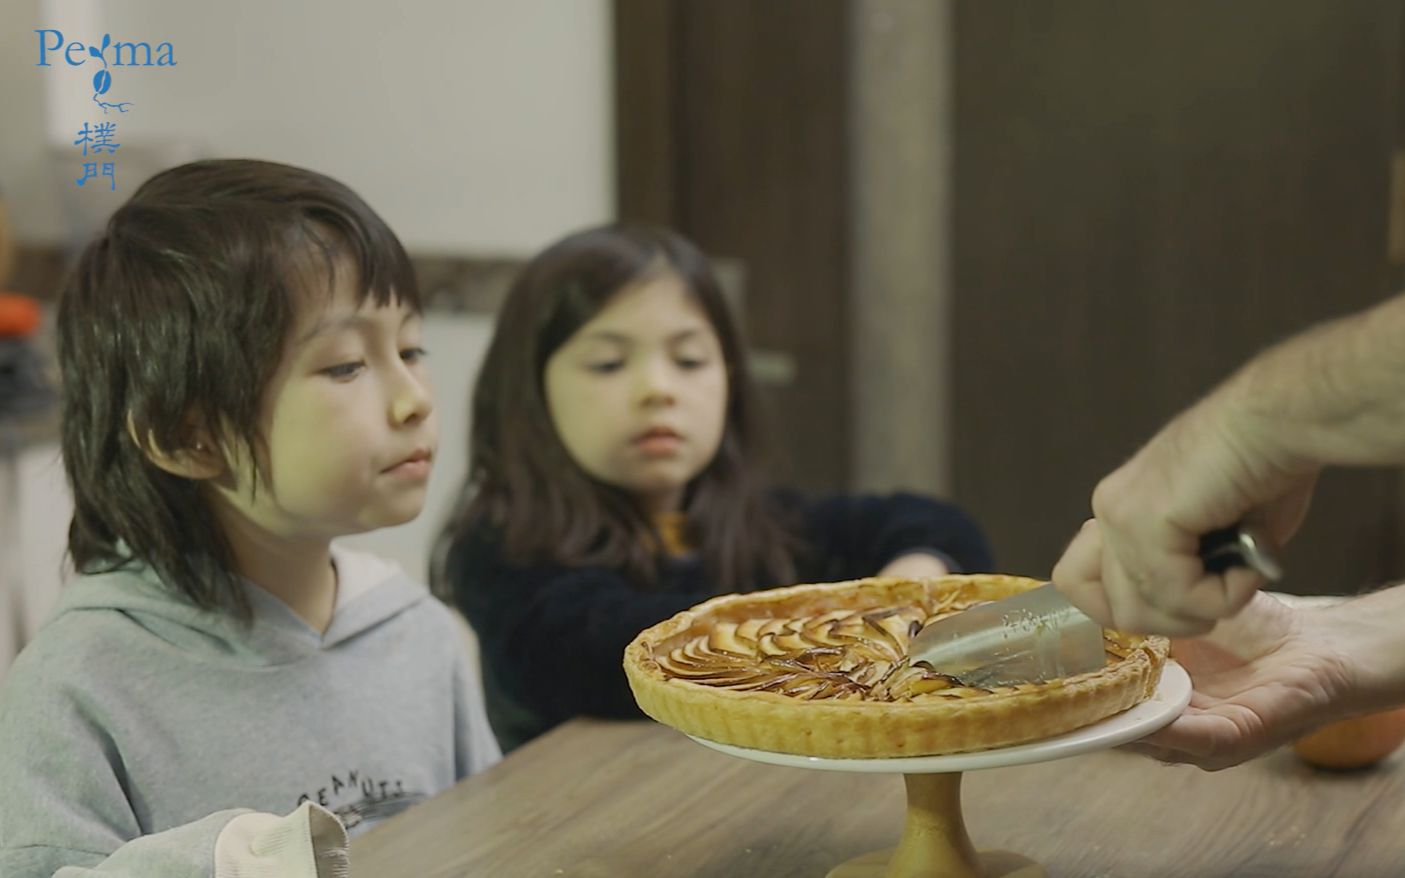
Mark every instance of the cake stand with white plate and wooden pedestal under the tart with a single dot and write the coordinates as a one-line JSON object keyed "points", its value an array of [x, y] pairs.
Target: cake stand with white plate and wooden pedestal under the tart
{"points": [[935, 842]]}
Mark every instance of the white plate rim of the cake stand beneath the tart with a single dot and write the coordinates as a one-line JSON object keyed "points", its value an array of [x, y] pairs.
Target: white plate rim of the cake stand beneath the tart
{"points": [[1167, 703]]}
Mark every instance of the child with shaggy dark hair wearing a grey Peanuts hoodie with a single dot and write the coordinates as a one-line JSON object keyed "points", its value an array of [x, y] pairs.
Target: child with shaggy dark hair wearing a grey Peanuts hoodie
{"points": [[244, 384]]}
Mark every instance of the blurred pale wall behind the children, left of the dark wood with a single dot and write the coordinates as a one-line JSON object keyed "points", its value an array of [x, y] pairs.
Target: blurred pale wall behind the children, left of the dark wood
{"points": [[478, 126]]}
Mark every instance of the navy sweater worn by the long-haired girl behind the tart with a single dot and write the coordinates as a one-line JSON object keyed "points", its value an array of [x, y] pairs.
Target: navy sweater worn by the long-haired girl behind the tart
{"points": [[553, 638]]}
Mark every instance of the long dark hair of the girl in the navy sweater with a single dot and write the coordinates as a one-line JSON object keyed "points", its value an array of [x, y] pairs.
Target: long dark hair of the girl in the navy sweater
{"points": [[522, 481]]}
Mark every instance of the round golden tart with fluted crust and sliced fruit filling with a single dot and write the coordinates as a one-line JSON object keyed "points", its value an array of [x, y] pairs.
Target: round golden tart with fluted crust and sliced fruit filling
{"points": [[823, 671]]}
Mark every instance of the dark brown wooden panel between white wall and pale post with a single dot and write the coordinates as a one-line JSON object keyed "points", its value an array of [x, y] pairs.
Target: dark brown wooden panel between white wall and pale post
{"points": [[731, 129]]}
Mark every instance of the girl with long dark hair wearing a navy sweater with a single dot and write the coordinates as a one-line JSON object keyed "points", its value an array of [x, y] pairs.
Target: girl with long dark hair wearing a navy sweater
{"points": [[615, 481]]}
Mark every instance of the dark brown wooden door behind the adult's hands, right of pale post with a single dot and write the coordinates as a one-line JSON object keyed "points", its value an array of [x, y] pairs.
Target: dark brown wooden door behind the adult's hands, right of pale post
{"points": [[1146, 196]]}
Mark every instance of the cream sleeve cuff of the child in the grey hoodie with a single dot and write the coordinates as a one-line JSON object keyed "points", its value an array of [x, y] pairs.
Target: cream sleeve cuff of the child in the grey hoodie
{"points": [[308, 844]]}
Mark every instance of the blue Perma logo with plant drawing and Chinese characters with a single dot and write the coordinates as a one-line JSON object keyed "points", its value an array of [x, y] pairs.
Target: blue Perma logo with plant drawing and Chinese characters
{"points": [[99, 138]]}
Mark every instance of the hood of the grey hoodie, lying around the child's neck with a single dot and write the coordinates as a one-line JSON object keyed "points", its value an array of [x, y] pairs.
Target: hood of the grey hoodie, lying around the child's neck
{"points": [[370, 594]]}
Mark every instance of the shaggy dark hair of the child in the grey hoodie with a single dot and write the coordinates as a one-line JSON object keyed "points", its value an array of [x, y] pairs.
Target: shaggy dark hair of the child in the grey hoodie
{"points": [[172, 325]]}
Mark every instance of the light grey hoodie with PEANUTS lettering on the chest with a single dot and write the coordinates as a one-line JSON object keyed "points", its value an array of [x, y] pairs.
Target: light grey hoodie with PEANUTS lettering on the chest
{"points": [[134, 713]]}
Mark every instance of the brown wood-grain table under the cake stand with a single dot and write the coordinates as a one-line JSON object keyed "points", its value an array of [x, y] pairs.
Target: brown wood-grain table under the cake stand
{"points": [[596, 800]]}
